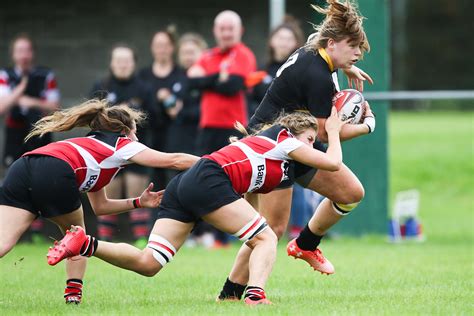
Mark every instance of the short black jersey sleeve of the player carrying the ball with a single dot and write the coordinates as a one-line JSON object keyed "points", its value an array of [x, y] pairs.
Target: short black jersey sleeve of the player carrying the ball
{"points": [[318, 91]]}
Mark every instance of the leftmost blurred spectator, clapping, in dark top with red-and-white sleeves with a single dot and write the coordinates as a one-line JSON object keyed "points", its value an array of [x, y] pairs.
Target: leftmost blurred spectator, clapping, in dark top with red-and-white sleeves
{"points": [[27, 93]]}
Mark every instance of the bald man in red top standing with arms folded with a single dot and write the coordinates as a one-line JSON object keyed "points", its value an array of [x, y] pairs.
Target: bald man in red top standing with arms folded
{"points": [[220, 73]]}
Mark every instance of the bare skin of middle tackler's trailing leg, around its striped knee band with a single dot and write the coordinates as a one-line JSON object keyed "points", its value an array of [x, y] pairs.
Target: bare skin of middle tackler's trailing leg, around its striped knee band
{"points": [[126, 256]]}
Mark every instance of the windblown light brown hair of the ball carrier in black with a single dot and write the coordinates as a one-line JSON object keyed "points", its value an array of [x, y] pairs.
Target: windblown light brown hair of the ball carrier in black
{"points": [[342, 21]]}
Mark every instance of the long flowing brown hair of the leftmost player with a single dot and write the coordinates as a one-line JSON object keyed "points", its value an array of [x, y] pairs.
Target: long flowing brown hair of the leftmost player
{"points": [[96, 114]]}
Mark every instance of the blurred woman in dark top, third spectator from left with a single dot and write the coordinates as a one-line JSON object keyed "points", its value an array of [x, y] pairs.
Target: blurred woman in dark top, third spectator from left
{"points": [[162, 75]]}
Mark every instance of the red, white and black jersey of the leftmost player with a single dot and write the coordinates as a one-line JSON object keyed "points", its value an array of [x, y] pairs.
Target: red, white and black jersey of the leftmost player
{"points": [[95, 159]]}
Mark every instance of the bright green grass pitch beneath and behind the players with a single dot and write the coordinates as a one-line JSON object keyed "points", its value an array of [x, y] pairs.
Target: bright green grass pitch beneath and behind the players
{"points": [[429, 151]]}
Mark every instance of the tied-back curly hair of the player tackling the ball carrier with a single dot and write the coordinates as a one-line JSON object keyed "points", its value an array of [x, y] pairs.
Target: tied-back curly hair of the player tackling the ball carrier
{"points": [[296, 123]]}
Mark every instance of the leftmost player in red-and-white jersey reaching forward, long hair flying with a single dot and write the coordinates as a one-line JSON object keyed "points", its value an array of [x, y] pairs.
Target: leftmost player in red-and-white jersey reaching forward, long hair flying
{"points": [[47, 181]]}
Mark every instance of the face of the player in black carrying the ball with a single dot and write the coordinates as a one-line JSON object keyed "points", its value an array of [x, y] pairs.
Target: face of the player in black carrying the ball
{"points": [[344, 54]]}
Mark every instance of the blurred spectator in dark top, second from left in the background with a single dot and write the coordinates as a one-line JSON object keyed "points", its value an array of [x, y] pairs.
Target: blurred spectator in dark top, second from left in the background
{"points": [[122, 86]]}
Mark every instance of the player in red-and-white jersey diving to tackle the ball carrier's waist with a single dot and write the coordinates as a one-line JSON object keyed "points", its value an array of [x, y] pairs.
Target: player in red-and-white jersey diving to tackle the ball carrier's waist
{"points": [[212, 190]]}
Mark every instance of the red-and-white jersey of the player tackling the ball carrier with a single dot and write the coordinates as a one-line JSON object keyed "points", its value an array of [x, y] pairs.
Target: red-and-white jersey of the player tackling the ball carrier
{"points": [[258, 163]]}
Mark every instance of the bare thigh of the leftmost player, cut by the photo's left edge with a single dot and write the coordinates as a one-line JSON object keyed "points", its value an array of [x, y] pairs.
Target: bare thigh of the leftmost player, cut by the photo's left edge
{"points": [[13, 223]]}
